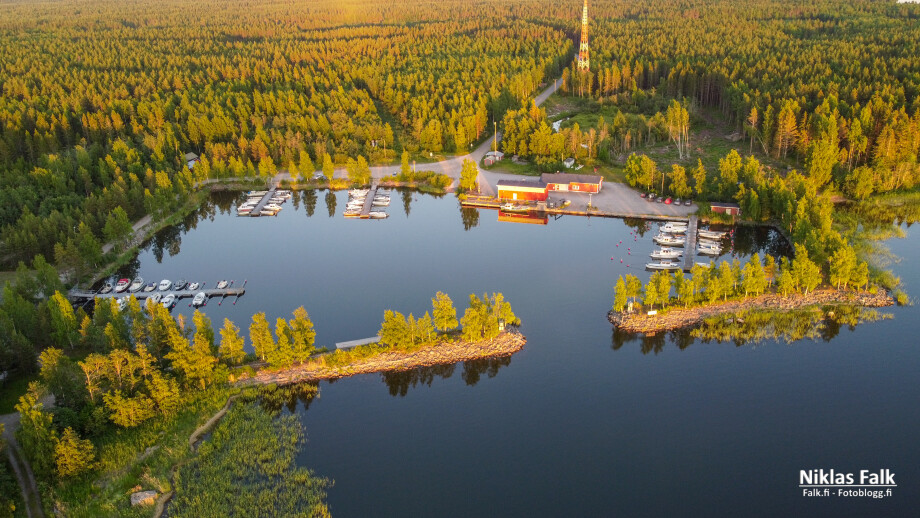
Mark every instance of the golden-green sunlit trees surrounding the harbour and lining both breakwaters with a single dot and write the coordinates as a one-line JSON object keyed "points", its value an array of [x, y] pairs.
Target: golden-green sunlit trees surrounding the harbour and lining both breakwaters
{"points": [[101, 100]]}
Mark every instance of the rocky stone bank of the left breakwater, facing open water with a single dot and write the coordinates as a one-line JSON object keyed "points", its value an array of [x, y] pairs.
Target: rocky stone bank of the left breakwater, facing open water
{"points": [[440, 353]]}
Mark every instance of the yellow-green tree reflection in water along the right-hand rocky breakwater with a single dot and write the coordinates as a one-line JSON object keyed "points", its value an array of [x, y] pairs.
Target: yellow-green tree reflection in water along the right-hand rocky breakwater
{"points": [[752, 327]]}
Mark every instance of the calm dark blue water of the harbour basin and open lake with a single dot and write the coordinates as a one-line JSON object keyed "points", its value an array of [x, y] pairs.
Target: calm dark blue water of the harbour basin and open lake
{"points": [[570, 426]]}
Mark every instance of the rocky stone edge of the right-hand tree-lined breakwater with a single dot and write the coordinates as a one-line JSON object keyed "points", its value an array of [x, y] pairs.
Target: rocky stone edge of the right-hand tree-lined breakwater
{"points": [[678, 318]]}
